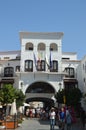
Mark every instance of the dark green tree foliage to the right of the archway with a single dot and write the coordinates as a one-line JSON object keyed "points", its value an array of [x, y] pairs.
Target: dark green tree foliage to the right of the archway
{"points": [[72, 96]]}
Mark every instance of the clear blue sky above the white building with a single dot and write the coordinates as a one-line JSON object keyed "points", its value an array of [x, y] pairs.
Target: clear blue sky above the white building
{"points": [[68, 16]]}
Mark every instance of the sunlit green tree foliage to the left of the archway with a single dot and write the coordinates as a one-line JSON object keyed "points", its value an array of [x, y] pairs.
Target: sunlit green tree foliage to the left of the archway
{"points": [[8, 93]]}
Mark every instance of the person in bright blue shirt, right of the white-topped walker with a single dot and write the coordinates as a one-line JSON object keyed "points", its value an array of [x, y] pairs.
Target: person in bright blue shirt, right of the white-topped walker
{"points": [[61, 115]]}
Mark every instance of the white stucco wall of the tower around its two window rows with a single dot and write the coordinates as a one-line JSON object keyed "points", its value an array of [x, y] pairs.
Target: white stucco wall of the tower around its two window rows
{"points": [[25, 54]]}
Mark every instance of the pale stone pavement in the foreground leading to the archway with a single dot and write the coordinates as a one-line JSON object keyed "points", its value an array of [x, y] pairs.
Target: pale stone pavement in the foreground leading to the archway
{"points": [[37, 124]]}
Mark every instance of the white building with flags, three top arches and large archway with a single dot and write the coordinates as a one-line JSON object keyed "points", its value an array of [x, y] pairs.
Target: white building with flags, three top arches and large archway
{"points": [[40, 68]]}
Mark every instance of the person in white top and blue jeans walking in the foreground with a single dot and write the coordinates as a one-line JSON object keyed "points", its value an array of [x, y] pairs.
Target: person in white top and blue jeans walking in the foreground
{"points": [[52, 115]]}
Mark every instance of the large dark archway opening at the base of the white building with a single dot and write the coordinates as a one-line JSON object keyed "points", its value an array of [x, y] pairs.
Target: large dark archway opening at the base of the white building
{"points": [[40, 92]]}
